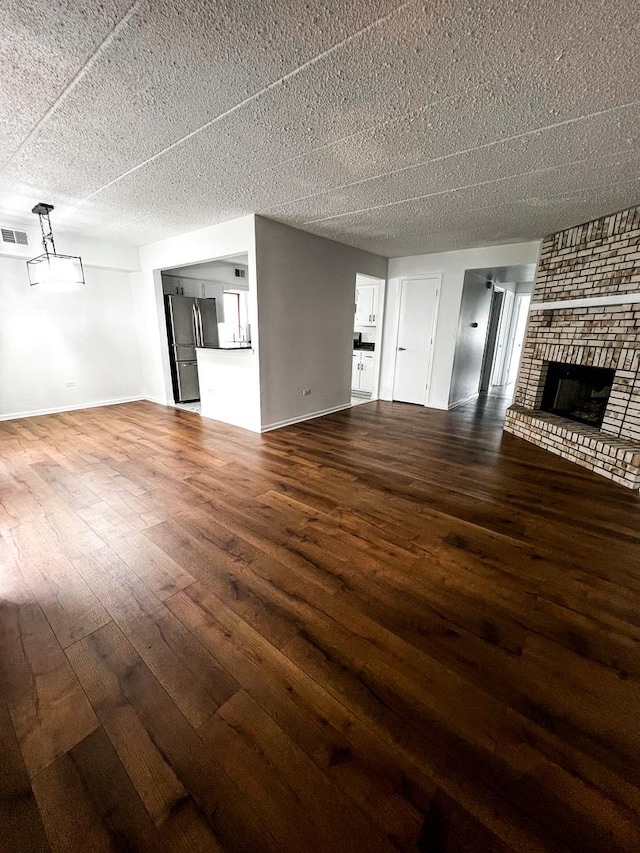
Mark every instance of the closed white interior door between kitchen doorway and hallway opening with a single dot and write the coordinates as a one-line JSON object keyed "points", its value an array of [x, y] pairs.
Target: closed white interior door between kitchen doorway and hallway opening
{"points": [[416, 332]]}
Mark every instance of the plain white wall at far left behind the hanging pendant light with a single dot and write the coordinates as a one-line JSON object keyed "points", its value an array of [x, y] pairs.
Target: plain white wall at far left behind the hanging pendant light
{"points": [[86, 336]]}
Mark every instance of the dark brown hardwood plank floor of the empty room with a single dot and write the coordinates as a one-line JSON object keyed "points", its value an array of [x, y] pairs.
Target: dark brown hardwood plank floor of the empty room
{"points": [[388, 629]]}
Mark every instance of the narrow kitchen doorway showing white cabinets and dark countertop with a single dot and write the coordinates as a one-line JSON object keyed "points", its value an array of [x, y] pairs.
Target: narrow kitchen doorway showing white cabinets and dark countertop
{"points": [[367, 328]]}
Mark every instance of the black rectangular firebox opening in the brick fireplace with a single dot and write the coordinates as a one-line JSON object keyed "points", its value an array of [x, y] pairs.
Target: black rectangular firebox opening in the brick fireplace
{"points": [[577, 392]]}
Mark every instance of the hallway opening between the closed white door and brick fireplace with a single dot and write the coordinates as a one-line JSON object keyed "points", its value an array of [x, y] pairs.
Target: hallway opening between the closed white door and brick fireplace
{"points": [[491, 329]]}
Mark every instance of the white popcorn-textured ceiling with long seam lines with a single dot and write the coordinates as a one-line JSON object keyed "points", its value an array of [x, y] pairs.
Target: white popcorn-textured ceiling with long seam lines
{"points": [[400, 128]]}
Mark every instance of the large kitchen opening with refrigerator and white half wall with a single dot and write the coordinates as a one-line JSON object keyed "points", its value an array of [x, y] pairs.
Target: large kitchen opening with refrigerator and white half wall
{"points": [[209, 334]]}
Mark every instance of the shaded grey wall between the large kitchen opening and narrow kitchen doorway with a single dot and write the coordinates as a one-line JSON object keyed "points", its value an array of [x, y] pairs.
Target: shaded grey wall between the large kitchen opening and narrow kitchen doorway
{"points": [[306, 292]]}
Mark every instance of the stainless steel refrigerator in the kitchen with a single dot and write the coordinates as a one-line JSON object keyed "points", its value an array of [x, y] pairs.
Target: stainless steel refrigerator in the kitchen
{"points": [[191, 323]]}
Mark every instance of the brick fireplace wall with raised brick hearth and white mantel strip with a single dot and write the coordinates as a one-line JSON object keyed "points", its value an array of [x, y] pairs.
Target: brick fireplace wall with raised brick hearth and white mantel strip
{"points": [[585, 311]]}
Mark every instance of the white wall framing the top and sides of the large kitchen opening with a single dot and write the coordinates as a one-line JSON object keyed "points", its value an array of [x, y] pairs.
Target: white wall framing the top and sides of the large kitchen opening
{"points": [[216, 241]]}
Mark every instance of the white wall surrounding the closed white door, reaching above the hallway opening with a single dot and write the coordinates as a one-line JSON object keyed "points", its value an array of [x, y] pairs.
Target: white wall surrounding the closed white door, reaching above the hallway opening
{"points": [[452, 266]]}
